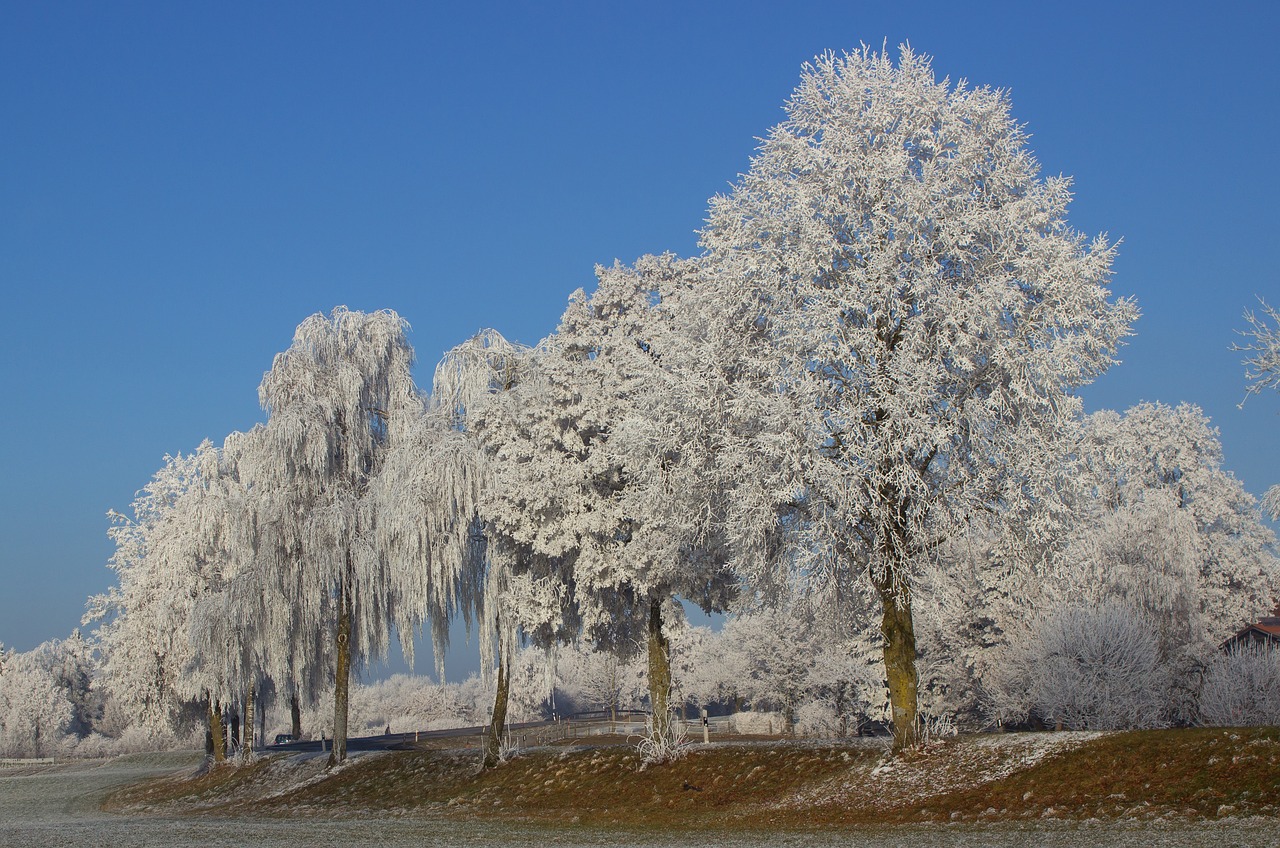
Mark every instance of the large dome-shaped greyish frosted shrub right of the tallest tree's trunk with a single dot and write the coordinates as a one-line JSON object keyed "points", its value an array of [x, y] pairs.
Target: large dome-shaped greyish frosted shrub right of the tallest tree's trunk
{"points": [[1085, 668]]}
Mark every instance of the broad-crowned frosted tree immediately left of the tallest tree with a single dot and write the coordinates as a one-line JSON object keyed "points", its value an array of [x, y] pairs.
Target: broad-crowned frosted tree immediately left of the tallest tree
{"points": [[601, 467]]}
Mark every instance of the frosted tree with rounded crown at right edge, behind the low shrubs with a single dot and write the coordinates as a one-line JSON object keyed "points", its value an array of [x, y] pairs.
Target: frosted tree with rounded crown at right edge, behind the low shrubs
{"points": [[1165, 530]]}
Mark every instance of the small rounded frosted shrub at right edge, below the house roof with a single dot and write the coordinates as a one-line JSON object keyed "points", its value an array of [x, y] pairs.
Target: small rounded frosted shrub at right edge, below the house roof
{"points": [[1242, 689]]}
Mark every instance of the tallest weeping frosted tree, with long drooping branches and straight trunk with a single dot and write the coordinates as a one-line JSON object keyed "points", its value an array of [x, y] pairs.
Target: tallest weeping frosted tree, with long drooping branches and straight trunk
{"points": [[332, 400]]}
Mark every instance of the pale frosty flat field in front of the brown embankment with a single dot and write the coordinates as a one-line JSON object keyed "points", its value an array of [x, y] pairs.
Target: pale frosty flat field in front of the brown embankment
{"points": [[60, 806]]}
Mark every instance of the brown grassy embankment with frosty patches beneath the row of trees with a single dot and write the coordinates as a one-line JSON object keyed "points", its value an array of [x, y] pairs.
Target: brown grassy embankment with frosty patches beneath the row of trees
{"points": [[1176, 774]]}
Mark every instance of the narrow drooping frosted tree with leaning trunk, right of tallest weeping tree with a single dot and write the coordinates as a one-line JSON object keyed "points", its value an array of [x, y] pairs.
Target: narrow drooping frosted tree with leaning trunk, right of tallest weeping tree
{"points": [[473, 567]]}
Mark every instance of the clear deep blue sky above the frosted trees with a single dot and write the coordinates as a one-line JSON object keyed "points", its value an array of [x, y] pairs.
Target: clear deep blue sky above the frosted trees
{"points": [[181, 186]]}
